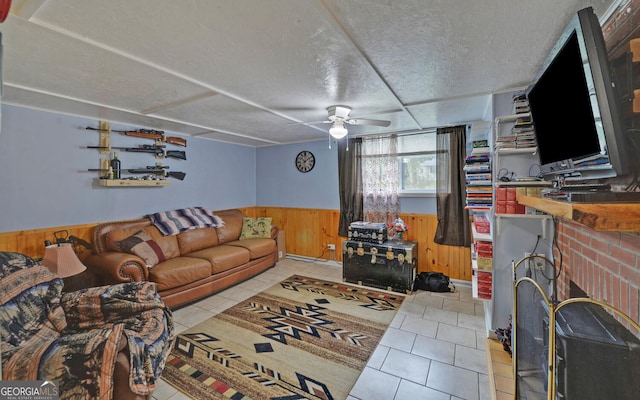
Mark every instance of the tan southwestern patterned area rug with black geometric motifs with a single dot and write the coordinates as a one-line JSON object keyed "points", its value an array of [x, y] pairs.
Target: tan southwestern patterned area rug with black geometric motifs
{"points": [[303, 338]]}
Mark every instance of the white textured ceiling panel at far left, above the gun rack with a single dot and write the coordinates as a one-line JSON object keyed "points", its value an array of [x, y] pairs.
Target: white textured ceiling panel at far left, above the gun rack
{"points": [[79, 70]]}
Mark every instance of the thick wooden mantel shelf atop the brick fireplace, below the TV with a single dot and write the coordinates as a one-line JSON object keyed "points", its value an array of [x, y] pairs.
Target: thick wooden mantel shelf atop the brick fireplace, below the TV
{"points": [[621, 217]]}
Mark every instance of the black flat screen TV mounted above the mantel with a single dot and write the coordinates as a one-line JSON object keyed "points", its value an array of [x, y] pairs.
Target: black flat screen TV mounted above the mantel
{"points": [[575, 108]]}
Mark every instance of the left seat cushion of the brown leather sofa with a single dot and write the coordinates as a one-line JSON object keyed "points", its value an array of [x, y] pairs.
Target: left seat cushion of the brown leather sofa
{"points": [[179, 271]]}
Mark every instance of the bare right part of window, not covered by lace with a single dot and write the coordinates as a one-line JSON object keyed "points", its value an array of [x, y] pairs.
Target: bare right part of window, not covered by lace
{"points": [[417, 163]]}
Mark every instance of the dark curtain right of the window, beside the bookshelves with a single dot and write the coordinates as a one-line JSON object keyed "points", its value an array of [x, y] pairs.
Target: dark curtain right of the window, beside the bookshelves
{"points": [[453, 219]]}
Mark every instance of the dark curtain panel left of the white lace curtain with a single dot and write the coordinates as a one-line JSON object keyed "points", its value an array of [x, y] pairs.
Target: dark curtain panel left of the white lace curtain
{"points": [[349, 184]]}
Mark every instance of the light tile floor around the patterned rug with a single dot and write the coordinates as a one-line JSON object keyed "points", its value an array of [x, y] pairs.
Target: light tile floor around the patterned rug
{"points": [[434, 348]]}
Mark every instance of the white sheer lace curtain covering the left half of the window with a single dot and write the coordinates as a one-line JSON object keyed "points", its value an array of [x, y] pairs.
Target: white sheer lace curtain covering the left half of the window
{"points": [[380, 178]]}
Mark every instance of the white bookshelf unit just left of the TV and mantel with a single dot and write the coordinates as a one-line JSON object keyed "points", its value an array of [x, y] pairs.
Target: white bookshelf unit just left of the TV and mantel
{"points": [[515, 228]]}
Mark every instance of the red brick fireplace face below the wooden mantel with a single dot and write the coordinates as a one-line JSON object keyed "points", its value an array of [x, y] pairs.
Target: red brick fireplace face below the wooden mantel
{"points": [[606, 265]]}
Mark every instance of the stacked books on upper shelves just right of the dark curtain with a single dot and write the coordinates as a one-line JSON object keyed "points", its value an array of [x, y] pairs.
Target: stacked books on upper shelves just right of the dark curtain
{"points": [[478, 176]]}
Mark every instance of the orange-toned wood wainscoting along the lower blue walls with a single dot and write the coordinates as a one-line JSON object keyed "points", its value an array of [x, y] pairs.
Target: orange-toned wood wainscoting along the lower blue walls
{"points": [[308, 231]]}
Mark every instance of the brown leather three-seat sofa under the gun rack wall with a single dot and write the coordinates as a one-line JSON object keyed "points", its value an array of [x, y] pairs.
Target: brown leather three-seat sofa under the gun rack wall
{"points": [[199, 262]]}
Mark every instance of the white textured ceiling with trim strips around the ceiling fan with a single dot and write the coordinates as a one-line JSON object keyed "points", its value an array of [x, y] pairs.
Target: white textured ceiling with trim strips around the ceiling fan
{"points": [[248, 71]]}
